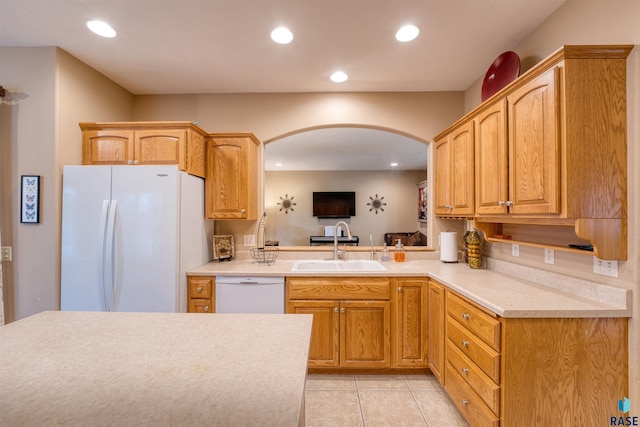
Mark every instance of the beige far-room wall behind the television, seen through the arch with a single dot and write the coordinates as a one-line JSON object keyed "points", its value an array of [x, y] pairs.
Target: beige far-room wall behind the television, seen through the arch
{"points": [[398, 188]]}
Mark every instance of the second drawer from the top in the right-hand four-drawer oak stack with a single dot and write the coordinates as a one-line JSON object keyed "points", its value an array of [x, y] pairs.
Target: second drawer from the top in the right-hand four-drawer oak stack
{"points": [[481, 354]]}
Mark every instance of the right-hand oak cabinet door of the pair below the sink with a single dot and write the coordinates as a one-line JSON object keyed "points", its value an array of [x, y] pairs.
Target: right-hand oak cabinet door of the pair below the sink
{"points": [[365, 334]]}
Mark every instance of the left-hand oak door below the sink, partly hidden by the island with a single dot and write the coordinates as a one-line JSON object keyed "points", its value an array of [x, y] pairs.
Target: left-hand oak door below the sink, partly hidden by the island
{"points": [[325, 332]]}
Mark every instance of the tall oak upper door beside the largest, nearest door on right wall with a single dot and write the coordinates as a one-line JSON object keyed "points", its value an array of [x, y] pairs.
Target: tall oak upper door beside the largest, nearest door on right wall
{"points": [[492, 160]]}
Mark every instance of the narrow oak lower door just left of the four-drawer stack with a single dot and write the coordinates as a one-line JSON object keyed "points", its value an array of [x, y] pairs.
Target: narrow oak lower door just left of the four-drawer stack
{"points": [[436, 330]]}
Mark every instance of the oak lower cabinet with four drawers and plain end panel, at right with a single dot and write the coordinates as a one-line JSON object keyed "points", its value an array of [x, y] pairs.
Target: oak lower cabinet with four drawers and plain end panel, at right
{"points": [[532, 371]]}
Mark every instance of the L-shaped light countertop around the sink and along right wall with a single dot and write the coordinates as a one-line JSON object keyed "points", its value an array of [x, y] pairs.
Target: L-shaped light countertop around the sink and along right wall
{"points": [[507, 295]]}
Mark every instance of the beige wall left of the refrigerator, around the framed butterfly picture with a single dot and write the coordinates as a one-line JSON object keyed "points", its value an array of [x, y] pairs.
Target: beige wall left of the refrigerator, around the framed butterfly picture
{"points": [[38, 135]]}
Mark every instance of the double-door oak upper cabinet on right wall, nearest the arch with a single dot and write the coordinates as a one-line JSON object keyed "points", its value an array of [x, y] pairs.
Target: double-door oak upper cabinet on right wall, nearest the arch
{"points": [[454, 169]]}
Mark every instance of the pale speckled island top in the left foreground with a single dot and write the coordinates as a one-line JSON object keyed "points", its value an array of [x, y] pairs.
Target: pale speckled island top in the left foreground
{"points": [[135, 369]]}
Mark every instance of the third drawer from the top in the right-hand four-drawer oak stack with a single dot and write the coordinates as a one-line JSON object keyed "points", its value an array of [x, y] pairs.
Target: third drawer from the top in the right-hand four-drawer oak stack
{"points": [[486, 389]]}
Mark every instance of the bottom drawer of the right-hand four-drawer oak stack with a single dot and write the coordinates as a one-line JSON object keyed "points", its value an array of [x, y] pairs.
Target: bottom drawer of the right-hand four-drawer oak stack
{"points": [[469, 404]]}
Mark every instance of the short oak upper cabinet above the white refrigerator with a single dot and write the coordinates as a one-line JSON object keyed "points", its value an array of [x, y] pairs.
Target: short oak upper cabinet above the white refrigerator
{"points": [[144, 143]]}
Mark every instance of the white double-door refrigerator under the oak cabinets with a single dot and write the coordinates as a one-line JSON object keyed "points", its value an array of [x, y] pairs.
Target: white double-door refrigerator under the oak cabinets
{"points": [[129, 234]]}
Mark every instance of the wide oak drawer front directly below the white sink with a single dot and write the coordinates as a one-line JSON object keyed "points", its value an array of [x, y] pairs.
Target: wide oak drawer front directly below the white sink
{"points": [[343, 288]]}
